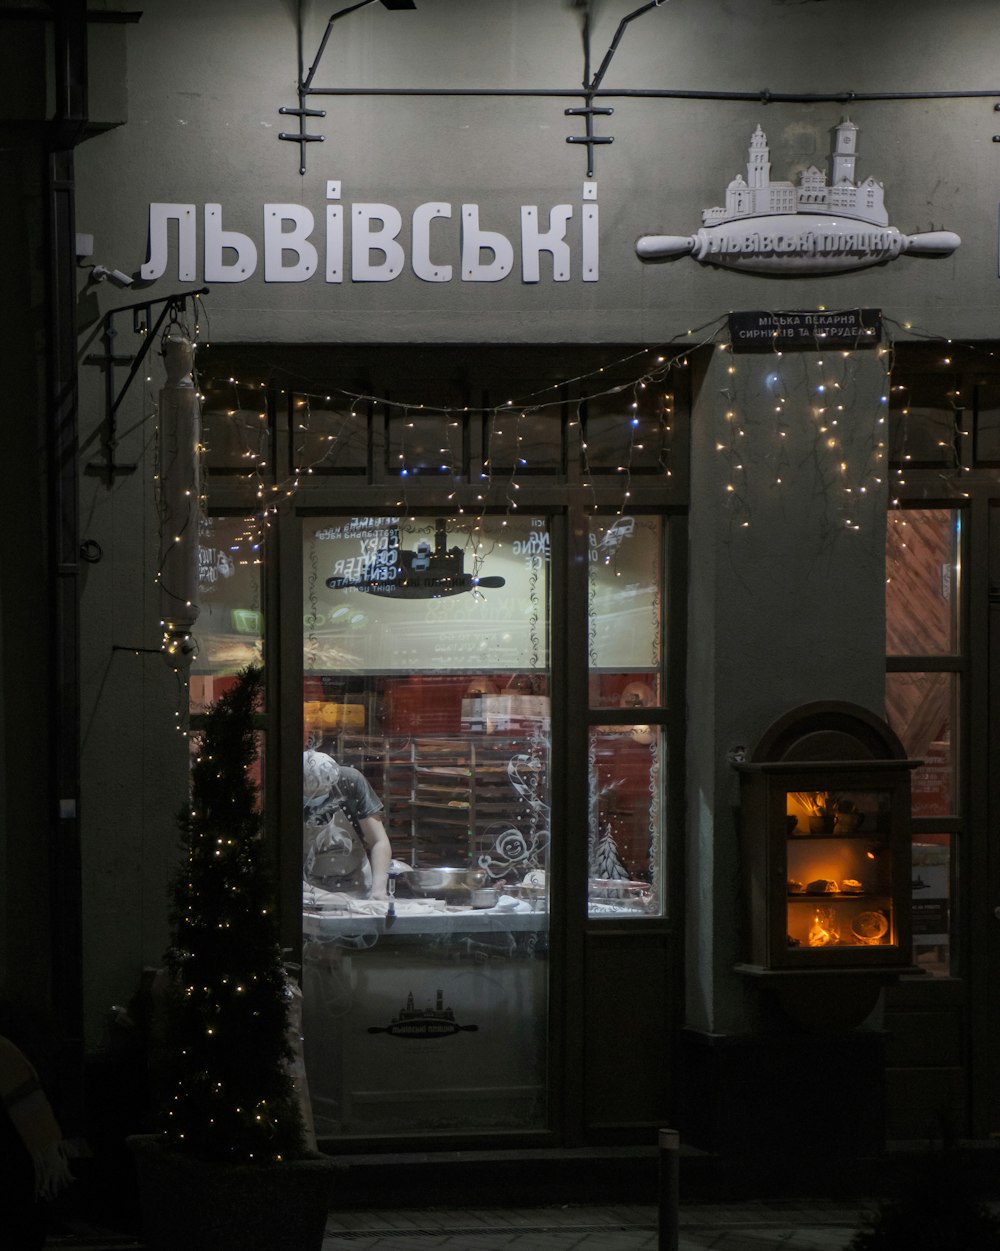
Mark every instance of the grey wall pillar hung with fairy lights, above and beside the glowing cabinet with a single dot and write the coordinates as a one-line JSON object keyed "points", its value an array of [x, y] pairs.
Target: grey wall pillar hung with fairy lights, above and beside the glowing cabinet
{"points": [[787, 605]]}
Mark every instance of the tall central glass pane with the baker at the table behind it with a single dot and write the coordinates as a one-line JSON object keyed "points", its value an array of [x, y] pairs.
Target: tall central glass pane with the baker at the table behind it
{"points": [[426, 825]]}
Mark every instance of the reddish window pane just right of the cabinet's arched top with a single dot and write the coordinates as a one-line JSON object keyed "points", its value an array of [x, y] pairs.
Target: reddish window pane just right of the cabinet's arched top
{"points": [[923, 710]]}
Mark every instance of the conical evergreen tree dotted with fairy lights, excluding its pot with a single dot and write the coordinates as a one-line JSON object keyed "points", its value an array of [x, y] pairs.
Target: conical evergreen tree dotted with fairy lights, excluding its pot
{"points": [[228, 1093]]}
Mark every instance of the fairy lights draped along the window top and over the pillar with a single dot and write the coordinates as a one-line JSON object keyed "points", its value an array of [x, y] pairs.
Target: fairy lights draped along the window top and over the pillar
{"points": [[799, 413]]}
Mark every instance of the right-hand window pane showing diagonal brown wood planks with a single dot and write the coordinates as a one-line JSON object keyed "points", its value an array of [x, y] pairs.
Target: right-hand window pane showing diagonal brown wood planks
{"points": [[923, 582]]}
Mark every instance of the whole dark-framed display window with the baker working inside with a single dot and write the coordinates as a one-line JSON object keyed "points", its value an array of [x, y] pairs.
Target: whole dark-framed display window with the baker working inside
{"points": [[460, 574]]}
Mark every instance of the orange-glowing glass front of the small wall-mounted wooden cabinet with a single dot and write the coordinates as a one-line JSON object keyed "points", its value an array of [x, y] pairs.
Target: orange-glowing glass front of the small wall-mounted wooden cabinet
{"points": [[839, 870]]}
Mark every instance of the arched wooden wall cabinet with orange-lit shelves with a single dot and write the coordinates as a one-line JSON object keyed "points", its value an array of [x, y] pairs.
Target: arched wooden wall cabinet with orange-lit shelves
{"points": [[825, 828]]}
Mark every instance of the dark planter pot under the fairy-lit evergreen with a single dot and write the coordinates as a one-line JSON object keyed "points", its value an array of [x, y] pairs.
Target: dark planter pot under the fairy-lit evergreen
{"points": [[200, 1205]]}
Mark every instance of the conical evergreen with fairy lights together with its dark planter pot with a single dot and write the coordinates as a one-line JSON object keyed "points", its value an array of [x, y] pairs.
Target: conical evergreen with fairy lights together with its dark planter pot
{"points": [[230, 1125]]}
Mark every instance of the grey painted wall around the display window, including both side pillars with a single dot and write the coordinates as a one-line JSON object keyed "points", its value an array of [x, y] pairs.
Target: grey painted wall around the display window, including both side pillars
{"points": [[205, 87]]}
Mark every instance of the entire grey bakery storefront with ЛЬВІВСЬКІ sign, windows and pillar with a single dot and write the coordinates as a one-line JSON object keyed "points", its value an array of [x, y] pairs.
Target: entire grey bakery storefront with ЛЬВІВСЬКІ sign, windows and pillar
{"points": [[546, 474]]}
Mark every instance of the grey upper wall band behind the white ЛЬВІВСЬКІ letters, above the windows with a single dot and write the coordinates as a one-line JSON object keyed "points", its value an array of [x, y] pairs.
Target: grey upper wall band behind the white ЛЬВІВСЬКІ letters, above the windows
{"points": [[206, 83]]}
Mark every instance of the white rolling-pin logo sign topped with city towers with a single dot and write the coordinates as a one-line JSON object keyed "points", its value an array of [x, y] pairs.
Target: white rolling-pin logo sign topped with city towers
{"points": [[815, 227]]}
